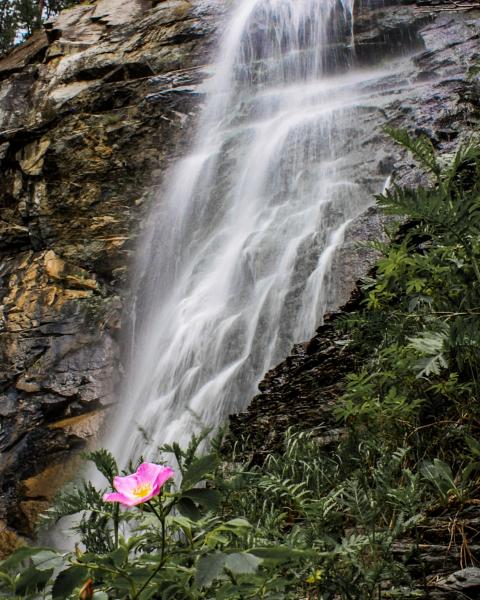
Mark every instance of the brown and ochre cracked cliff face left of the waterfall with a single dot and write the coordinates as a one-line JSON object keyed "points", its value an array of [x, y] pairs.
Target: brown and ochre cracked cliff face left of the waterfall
{"points": [[91, 111]]}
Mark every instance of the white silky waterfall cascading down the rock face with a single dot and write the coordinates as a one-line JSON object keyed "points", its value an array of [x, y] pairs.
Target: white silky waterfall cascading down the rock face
{"points": [[233, 269]]}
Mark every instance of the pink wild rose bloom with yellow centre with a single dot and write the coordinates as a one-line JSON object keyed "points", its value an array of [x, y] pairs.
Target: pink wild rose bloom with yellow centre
{"points": [[141, 486]]}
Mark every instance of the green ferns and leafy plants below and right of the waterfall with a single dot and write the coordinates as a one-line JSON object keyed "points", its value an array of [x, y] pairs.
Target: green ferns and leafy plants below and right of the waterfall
{"points": [[318, 522]]}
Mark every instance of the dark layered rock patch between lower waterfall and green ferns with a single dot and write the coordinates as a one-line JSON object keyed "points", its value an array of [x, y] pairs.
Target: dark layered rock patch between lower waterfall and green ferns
{"points": [[299, 393]]}
